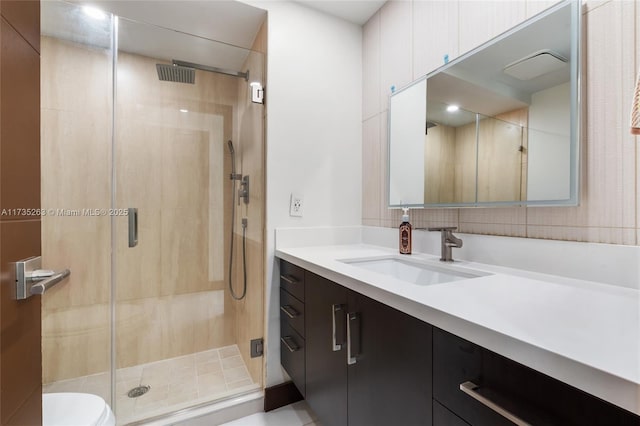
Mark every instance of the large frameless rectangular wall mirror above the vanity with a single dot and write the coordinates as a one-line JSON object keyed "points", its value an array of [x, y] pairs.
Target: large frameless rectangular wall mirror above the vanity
{"points": [[497, 126]]}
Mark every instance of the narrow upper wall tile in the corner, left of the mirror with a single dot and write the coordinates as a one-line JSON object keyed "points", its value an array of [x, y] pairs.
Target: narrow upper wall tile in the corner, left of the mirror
{"points": [[371, 66]]}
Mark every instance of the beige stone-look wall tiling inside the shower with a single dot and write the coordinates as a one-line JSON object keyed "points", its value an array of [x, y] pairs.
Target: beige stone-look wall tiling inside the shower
{"points": [[170, 303]]}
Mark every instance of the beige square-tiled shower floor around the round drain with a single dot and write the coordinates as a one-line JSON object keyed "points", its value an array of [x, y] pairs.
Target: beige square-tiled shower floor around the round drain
{"points": [[175, 383]]}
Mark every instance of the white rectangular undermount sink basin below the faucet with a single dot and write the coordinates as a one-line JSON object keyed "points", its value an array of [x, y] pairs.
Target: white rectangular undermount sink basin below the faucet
{"points": [[413, 271]]}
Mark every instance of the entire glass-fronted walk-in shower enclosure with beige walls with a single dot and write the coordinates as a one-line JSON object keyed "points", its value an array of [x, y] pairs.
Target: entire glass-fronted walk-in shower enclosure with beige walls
{"points": [[136, 179]]}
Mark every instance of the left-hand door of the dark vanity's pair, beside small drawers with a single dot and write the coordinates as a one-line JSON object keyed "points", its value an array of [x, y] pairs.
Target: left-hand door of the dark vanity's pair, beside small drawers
{"points": [[326, 359]]}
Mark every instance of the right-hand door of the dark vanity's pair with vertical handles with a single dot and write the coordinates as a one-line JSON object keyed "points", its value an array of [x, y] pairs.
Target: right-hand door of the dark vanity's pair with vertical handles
{"points": [[390, 381]]}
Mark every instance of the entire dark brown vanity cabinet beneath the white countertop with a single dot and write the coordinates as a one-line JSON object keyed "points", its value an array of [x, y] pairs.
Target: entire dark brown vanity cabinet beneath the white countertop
{"points": [[362, 363]]}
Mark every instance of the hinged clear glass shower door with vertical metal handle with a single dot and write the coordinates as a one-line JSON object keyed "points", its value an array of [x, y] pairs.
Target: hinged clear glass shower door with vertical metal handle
{"points": [[177, 330]]}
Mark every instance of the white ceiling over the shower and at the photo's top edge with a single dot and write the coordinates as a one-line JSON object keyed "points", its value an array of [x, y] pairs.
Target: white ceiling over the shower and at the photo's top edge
{"points": [[163, 29]]}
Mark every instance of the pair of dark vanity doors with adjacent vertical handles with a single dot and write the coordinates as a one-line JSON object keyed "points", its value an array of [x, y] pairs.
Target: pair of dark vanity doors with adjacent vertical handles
{"points": [[367, 364]]}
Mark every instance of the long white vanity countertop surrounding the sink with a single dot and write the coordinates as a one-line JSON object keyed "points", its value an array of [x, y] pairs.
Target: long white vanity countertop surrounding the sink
{"points": [[583, 333]]}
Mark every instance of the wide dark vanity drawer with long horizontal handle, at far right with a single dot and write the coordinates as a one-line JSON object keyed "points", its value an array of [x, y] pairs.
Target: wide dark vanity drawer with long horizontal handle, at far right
{"points": [[490, 380]]}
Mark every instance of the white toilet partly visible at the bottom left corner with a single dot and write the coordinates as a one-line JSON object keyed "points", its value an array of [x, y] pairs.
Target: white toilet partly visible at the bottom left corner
{"points": [[75, 409]]}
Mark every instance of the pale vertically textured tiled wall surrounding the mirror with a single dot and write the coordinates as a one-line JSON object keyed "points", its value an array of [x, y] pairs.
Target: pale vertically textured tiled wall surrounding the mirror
{"points": [[407, 39]]}
